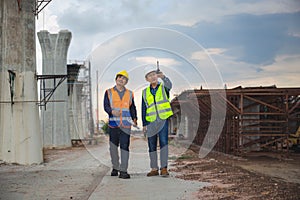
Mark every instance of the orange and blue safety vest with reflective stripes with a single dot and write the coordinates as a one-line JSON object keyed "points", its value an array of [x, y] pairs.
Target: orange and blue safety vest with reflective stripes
{"points": [[122, 105]]}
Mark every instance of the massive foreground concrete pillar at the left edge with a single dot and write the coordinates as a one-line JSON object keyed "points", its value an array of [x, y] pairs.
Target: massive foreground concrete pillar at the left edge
{"points": [[20, 139]]}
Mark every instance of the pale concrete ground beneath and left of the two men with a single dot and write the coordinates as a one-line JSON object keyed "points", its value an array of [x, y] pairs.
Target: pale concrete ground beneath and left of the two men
{"points": [[84, 173]]}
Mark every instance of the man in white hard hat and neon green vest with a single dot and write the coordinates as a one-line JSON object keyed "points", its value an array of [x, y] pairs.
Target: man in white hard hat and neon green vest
{"points": [[156, 110]]}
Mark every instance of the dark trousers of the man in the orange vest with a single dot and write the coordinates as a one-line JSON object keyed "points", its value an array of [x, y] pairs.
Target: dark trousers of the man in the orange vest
{"points": [[118, 136]]}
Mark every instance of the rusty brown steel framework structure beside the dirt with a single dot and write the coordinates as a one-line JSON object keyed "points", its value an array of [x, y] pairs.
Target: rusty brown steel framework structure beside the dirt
{"points": [[257, 118]]}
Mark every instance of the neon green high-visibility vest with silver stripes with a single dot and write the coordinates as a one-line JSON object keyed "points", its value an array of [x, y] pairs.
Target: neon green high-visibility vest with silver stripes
{"points": [[158, 104]]}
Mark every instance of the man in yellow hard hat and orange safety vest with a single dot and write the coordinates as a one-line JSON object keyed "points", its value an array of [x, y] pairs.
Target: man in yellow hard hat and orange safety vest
{"points": [[120, 107]]}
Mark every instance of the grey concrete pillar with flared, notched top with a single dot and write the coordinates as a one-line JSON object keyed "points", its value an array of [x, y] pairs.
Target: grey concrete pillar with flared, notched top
{"points": [[55, 118]]}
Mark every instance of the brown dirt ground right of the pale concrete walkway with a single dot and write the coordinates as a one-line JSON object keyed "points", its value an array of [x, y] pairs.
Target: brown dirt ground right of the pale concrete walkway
{"points": [[258, 176]]}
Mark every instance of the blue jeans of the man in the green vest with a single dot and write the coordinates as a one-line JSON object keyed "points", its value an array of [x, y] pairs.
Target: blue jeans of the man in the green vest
{"points": [[158, 130]]}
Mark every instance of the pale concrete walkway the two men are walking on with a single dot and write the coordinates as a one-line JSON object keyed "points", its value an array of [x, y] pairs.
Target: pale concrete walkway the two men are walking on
{"points": [[139, 186]]}
